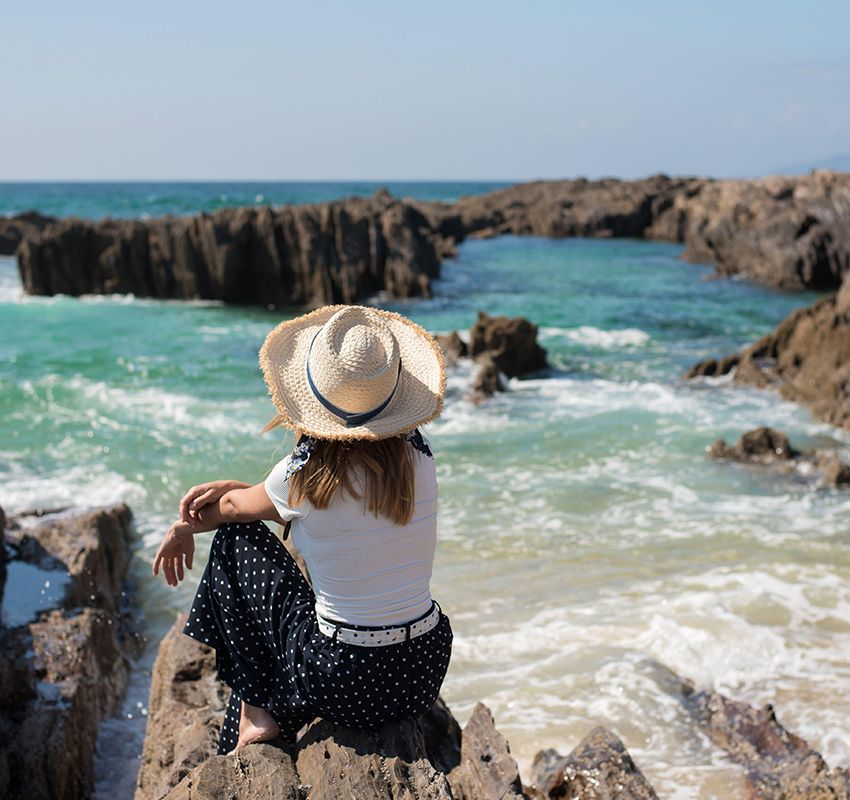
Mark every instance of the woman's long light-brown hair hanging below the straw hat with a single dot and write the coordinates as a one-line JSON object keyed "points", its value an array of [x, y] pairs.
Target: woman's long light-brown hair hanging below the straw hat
{"points": [[384, 466]]}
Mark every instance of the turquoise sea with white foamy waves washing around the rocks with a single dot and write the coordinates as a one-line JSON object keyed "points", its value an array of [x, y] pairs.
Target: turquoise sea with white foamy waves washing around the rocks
{"points": [[585, 536]]}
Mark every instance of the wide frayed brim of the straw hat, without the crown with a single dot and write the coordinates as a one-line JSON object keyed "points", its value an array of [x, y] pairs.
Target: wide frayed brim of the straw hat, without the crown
{"points": [[418, 397]]}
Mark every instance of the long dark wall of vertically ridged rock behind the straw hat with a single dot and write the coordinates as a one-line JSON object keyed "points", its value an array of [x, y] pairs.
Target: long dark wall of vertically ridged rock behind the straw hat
{"points": [[293, 255]]}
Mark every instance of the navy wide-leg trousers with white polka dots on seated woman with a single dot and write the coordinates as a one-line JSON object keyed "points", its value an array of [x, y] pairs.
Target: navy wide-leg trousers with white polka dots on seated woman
{"points": [[255, 608]]}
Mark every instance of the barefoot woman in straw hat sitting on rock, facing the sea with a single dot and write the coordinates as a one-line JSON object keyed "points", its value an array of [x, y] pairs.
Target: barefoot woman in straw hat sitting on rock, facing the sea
{"points": [[366, 644]]}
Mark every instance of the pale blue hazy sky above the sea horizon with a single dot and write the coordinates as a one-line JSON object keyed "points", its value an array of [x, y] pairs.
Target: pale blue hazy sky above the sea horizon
{"points": [[461, 90]]}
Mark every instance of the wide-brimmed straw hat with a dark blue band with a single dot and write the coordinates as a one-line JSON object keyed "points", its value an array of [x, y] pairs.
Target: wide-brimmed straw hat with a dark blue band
{"points": [[353, 372]]}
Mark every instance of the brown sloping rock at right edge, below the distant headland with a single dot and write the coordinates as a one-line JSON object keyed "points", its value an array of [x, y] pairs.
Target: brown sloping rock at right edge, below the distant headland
{"points": [[806, 359]]}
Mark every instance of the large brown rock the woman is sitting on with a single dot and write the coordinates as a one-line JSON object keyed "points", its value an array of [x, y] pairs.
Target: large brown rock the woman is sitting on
{"points": [[185, 712]]}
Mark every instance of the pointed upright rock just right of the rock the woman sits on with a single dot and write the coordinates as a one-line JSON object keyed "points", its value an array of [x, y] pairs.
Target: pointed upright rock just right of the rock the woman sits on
{"points": [[487, 770]]}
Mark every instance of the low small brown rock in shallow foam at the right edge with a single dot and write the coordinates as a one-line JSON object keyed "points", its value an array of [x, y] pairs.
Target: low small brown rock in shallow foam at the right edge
{"points": [[771, 447]]}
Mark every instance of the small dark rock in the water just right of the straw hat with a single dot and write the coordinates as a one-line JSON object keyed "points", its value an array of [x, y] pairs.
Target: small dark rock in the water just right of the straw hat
{"points": [[511, 342]]}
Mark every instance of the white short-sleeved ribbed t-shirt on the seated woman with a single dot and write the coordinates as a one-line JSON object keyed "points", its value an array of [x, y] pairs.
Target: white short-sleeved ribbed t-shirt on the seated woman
{"points": [[365, 570]]}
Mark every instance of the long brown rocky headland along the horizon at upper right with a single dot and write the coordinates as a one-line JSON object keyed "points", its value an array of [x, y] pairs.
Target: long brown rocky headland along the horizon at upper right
{"points": [[792, 232]]}
